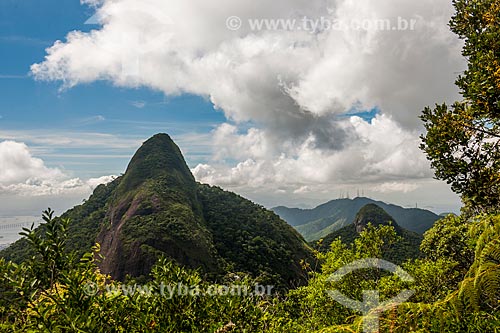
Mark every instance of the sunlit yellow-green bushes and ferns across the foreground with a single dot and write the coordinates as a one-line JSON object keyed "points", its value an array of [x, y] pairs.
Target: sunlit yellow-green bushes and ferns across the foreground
{"points": [[456, 289]]}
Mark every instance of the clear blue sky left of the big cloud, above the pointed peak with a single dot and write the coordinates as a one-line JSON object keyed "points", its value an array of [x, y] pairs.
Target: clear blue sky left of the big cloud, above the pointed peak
{"points": [[38, 108]]}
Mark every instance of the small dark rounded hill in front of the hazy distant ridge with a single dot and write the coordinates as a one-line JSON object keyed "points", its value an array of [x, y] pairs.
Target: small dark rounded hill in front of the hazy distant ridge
{"points": [[407, 247]]}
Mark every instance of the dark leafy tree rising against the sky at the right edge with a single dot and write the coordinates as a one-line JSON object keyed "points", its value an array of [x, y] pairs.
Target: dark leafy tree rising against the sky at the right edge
{"points": [[462, 140]]}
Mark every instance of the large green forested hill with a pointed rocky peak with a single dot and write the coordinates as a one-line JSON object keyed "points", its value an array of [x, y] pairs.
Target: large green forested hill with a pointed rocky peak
{"points": [[157, 209]]}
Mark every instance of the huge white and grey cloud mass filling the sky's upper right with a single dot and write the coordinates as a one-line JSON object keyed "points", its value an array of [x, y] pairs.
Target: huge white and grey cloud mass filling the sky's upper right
{"points": [[290, 96]]}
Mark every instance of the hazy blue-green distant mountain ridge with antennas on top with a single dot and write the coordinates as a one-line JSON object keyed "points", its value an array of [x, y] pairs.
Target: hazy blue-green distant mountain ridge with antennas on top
{"points": [[324, 219]]}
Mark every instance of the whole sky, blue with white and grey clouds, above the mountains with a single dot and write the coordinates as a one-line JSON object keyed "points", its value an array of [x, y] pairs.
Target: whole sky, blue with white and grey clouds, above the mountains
{"points": [[287, 103]]}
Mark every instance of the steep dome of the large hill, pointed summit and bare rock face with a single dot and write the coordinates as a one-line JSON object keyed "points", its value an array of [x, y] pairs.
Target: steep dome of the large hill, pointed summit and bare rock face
{"points": [[155, 210]]}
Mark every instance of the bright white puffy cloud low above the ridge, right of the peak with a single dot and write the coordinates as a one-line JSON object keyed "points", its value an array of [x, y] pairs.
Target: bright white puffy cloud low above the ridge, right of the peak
{"points": [[381, 151]]}
